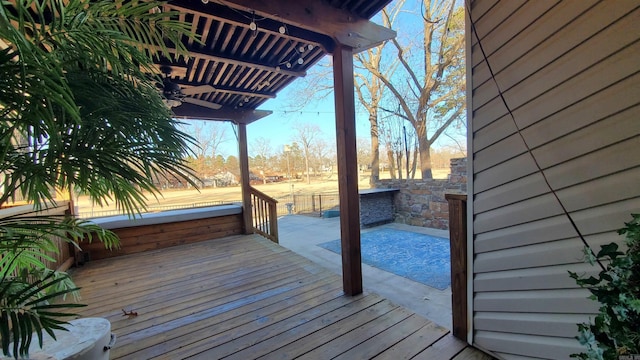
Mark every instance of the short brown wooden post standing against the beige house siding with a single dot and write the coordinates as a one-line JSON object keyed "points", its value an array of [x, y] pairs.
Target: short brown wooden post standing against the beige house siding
{"points": [[458, 239]]}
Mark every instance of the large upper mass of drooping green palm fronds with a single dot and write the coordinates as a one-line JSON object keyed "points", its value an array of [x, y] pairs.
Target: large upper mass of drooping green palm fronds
{"points": [[103, 48]]}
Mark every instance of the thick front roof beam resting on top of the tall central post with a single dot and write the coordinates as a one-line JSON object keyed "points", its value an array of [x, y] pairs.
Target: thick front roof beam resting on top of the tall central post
{"points": [[317, 16]]}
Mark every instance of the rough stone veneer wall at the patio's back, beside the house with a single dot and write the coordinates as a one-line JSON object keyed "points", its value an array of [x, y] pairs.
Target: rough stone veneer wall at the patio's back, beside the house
{"points": [[421, 202]]}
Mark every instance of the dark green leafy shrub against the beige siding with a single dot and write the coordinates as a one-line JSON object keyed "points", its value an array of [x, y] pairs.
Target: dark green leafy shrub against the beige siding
{"points": [[615, 330]]}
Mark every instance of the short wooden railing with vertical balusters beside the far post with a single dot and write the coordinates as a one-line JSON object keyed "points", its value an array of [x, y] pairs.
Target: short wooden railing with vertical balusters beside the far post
{"points": [[264, 214]]}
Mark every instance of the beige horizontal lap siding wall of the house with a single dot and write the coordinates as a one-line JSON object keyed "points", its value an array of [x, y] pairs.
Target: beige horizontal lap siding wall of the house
{"points": [[570, 73]]}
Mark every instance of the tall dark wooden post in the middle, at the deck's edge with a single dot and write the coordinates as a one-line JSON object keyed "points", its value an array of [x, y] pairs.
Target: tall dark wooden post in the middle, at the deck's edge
{"points": [[347, 170]]}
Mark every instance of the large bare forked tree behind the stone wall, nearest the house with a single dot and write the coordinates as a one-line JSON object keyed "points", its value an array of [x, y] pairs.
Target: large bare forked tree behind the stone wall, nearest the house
{"points": [[430, 91]]}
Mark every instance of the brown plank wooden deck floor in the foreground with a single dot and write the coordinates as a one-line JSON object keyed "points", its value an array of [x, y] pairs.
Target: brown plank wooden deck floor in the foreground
{"points": [[243, 297]]}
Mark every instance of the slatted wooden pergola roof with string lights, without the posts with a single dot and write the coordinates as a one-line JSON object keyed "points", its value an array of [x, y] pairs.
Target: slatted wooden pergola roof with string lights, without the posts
{"points": [[247, 67]]}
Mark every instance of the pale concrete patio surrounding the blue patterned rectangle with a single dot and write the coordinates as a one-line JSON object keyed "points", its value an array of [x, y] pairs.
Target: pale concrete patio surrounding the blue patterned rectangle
{"points": [[301, 234]]}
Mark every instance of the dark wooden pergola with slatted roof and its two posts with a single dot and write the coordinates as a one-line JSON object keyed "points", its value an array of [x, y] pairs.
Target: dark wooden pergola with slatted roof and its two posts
{"points": [[250, 50]]}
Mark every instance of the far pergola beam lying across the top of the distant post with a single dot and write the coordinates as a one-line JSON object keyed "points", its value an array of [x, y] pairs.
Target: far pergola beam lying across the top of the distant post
{"points": [[190, 111]]}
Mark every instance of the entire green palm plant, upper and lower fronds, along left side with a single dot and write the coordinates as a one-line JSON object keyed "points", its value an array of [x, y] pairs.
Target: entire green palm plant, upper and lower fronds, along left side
{"points": [[78, 111]]}
